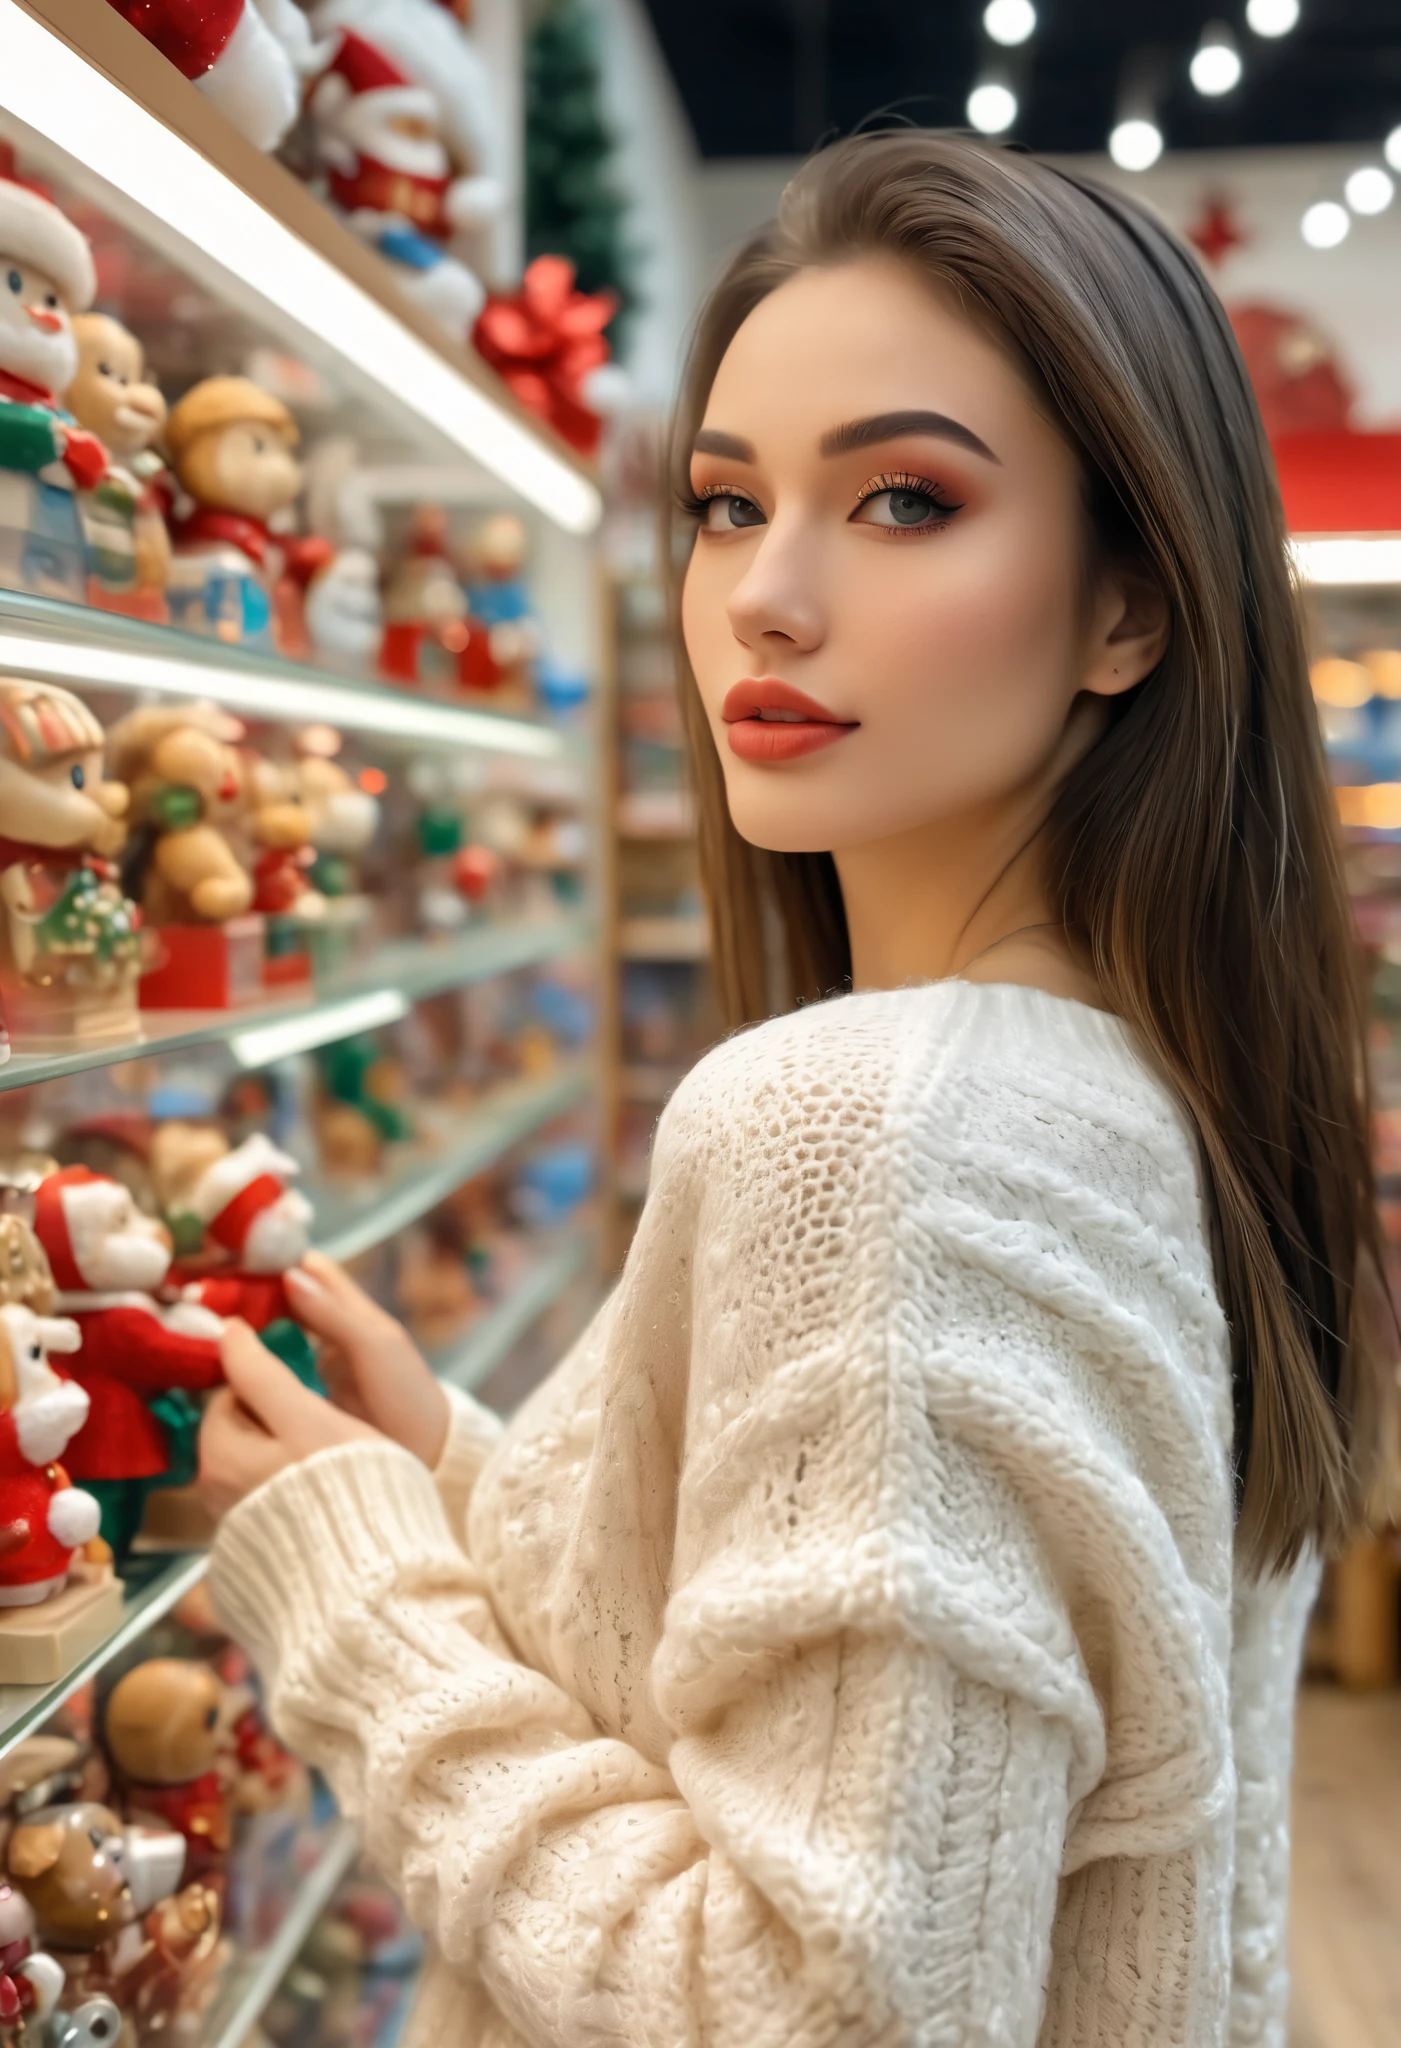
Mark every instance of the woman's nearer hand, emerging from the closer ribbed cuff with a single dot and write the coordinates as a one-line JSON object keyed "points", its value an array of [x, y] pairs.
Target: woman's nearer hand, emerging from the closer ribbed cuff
{"points": [[263, 1422]]}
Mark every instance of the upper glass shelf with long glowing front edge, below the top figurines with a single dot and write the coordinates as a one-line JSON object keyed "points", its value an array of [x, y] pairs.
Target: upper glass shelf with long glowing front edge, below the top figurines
{"points": [[87, 648]]}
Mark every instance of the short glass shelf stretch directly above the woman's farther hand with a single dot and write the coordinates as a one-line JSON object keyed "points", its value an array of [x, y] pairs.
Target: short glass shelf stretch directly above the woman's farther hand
{"points": [[351, 1224]]}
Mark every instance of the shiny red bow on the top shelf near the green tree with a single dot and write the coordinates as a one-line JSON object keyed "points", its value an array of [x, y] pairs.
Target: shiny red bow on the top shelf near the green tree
{"points": [[546, 341]]}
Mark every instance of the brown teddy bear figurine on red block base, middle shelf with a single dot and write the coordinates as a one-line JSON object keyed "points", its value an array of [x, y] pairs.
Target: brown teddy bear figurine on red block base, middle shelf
{"points": [[189, 798]]}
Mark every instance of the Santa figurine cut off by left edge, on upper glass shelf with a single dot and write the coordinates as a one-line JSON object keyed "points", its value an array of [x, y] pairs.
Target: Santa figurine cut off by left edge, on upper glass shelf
{"points": [[46, 278]]}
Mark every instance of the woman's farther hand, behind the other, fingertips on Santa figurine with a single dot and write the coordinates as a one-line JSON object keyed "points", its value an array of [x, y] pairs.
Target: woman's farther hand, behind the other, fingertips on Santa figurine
{"points": [[370, 1363]]}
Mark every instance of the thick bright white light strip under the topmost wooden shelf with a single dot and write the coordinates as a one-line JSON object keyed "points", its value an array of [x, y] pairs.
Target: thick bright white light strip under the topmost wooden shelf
{"points": [[60, 95]]}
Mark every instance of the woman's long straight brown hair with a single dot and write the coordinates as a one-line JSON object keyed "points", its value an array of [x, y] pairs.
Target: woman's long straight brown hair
{"points": [[1193, 851]]}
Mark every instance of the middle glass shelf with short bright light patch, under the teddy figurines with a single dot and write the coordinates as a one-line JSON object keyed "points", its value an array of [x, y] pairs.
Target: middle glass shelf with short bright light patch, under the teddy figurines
{"points": [[380, 992]]}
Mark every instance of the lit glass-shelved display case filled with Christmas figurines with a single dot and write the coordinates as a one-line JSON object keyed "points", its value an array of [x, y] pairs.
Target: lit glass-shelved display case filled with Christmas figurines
{"points": [[302, 941]]}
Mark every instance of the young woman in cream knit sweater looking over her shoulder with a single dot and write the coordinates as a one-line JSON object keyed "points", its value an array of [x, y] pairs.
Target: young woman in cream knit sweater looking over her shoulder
{"points": [[884, 1625]]}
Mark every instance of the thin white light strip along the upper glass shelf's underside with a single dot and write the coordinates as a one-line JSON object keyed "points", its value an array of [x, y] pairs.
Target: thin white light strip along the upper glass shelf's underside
{"points": [[275, 695]]}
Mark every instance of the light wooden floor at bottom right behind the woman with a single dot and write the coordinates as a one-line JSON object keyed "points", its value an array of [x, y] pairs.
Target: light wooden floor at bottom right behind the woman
{"points": [[1347, 1902]]}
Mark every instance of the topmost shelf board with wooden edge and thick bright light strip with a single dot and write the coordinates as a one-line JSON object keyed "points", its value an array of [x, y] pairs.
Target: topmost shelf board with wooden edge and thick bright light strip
{"points": [[116, 120]]}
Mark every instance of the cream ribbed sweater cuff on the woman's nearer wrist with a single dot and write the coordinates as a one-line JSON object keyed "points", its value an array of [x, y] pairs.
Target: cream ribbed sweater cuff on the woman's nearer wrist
{"points": [[323, 1537]]}
